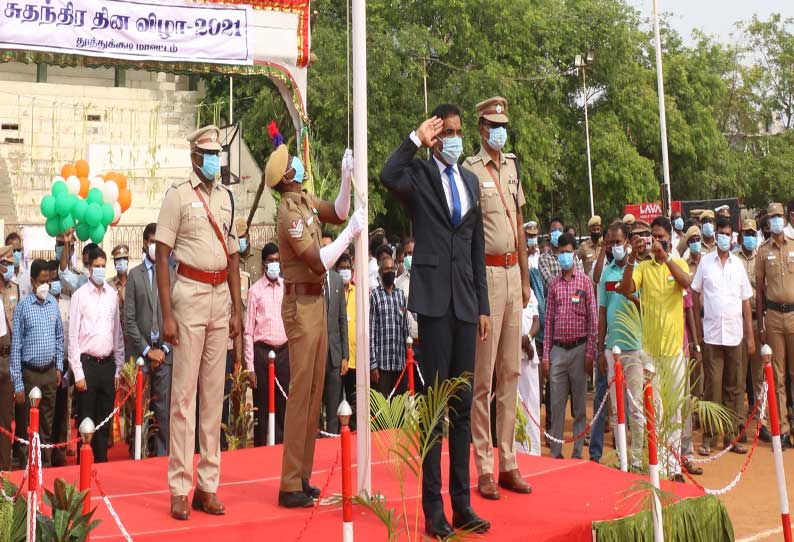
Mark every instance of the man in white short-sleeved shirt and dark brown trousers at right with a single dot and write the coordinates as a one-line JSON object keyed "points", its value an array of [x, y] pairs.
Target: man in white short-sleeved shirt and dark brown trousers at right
{"points": [[725, 290]]}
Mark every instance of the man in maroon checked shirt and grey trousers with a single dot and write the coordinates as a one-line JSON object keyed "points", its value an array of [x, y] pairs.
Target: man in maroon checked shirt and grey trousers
{"points": [[569, 348]]}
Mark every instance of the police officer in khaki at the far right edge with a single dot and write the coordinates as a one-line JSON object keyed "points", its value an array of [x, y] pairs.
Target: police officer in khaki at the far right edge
{"points": [[774, 279]]}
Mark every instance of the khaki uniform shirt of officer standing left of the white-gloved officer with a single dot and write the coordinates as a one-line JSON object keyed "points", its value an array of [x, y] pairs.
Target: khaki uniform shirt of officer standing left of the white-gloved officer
{"points": [[184, 226]]}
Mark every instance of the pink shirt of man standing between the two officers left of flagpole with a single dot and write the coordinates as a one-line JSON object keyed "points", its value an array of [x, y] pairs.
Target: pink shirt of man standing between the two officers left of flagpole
{"points": [[263, 321]]}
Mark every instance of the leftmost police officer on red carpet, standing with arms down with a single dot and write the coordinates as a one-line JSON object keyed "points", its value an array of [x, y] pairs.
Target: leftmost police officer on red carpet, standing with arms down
{"points": [[197, 222]]}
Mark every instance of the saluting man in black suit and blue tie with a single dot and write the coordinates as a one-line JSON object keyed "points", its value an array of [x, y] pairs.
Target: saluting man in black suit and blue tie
{"points": [[448, 292]]}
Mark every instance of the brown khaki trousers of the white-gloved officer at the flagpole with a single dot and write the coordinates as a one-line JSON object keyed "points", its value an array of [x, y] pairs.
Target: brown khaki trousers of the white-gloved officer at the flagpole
{"points": [[306, 325]]}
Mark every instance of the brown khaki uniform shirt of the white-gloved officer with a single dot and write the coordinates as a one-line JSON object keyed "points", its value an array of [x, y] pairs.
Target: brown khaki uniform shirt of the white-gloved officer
{"points": [[298, 230]]}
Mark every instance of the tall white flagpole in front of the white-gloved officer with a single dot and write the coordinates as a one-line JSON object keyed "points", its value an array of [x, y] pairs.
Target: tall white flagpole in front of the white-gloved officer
{"points": [[363, 448]]}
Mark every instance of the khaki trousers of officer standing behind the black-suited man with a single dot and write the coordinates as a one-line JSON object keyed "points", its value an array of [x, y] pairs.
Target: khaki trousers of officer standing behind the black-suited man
{"points": [[501, 352]]}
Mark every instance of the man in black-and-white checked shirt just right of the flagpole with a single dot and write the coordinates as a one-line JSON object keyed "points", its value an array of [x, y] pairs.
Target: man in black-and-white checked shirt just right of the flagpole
{"points": [[388, 321]]}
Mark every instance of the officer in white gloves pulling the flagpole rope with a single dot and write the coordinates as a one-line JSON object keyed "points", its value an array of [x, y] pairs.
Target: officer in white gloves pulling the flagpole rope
{"points": [[304, 265]]}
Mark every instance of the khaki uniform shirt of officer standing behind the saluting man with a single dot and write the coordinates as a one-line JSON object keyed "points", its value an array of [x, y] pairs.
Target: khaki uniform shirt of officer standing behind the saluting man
{"points": [[501, 236]]}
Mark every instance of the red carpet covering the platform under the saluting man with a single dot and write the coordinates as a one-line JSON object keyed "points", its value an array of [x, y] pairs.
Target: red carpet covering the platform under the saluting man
{"points": [[568, 496]]}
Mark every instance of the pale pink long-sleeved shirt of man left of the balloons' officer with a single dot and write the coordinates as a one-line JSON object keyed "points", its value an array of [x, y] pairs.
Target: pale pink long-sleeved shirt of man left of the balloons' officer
{"points": [[94, 326]]}
